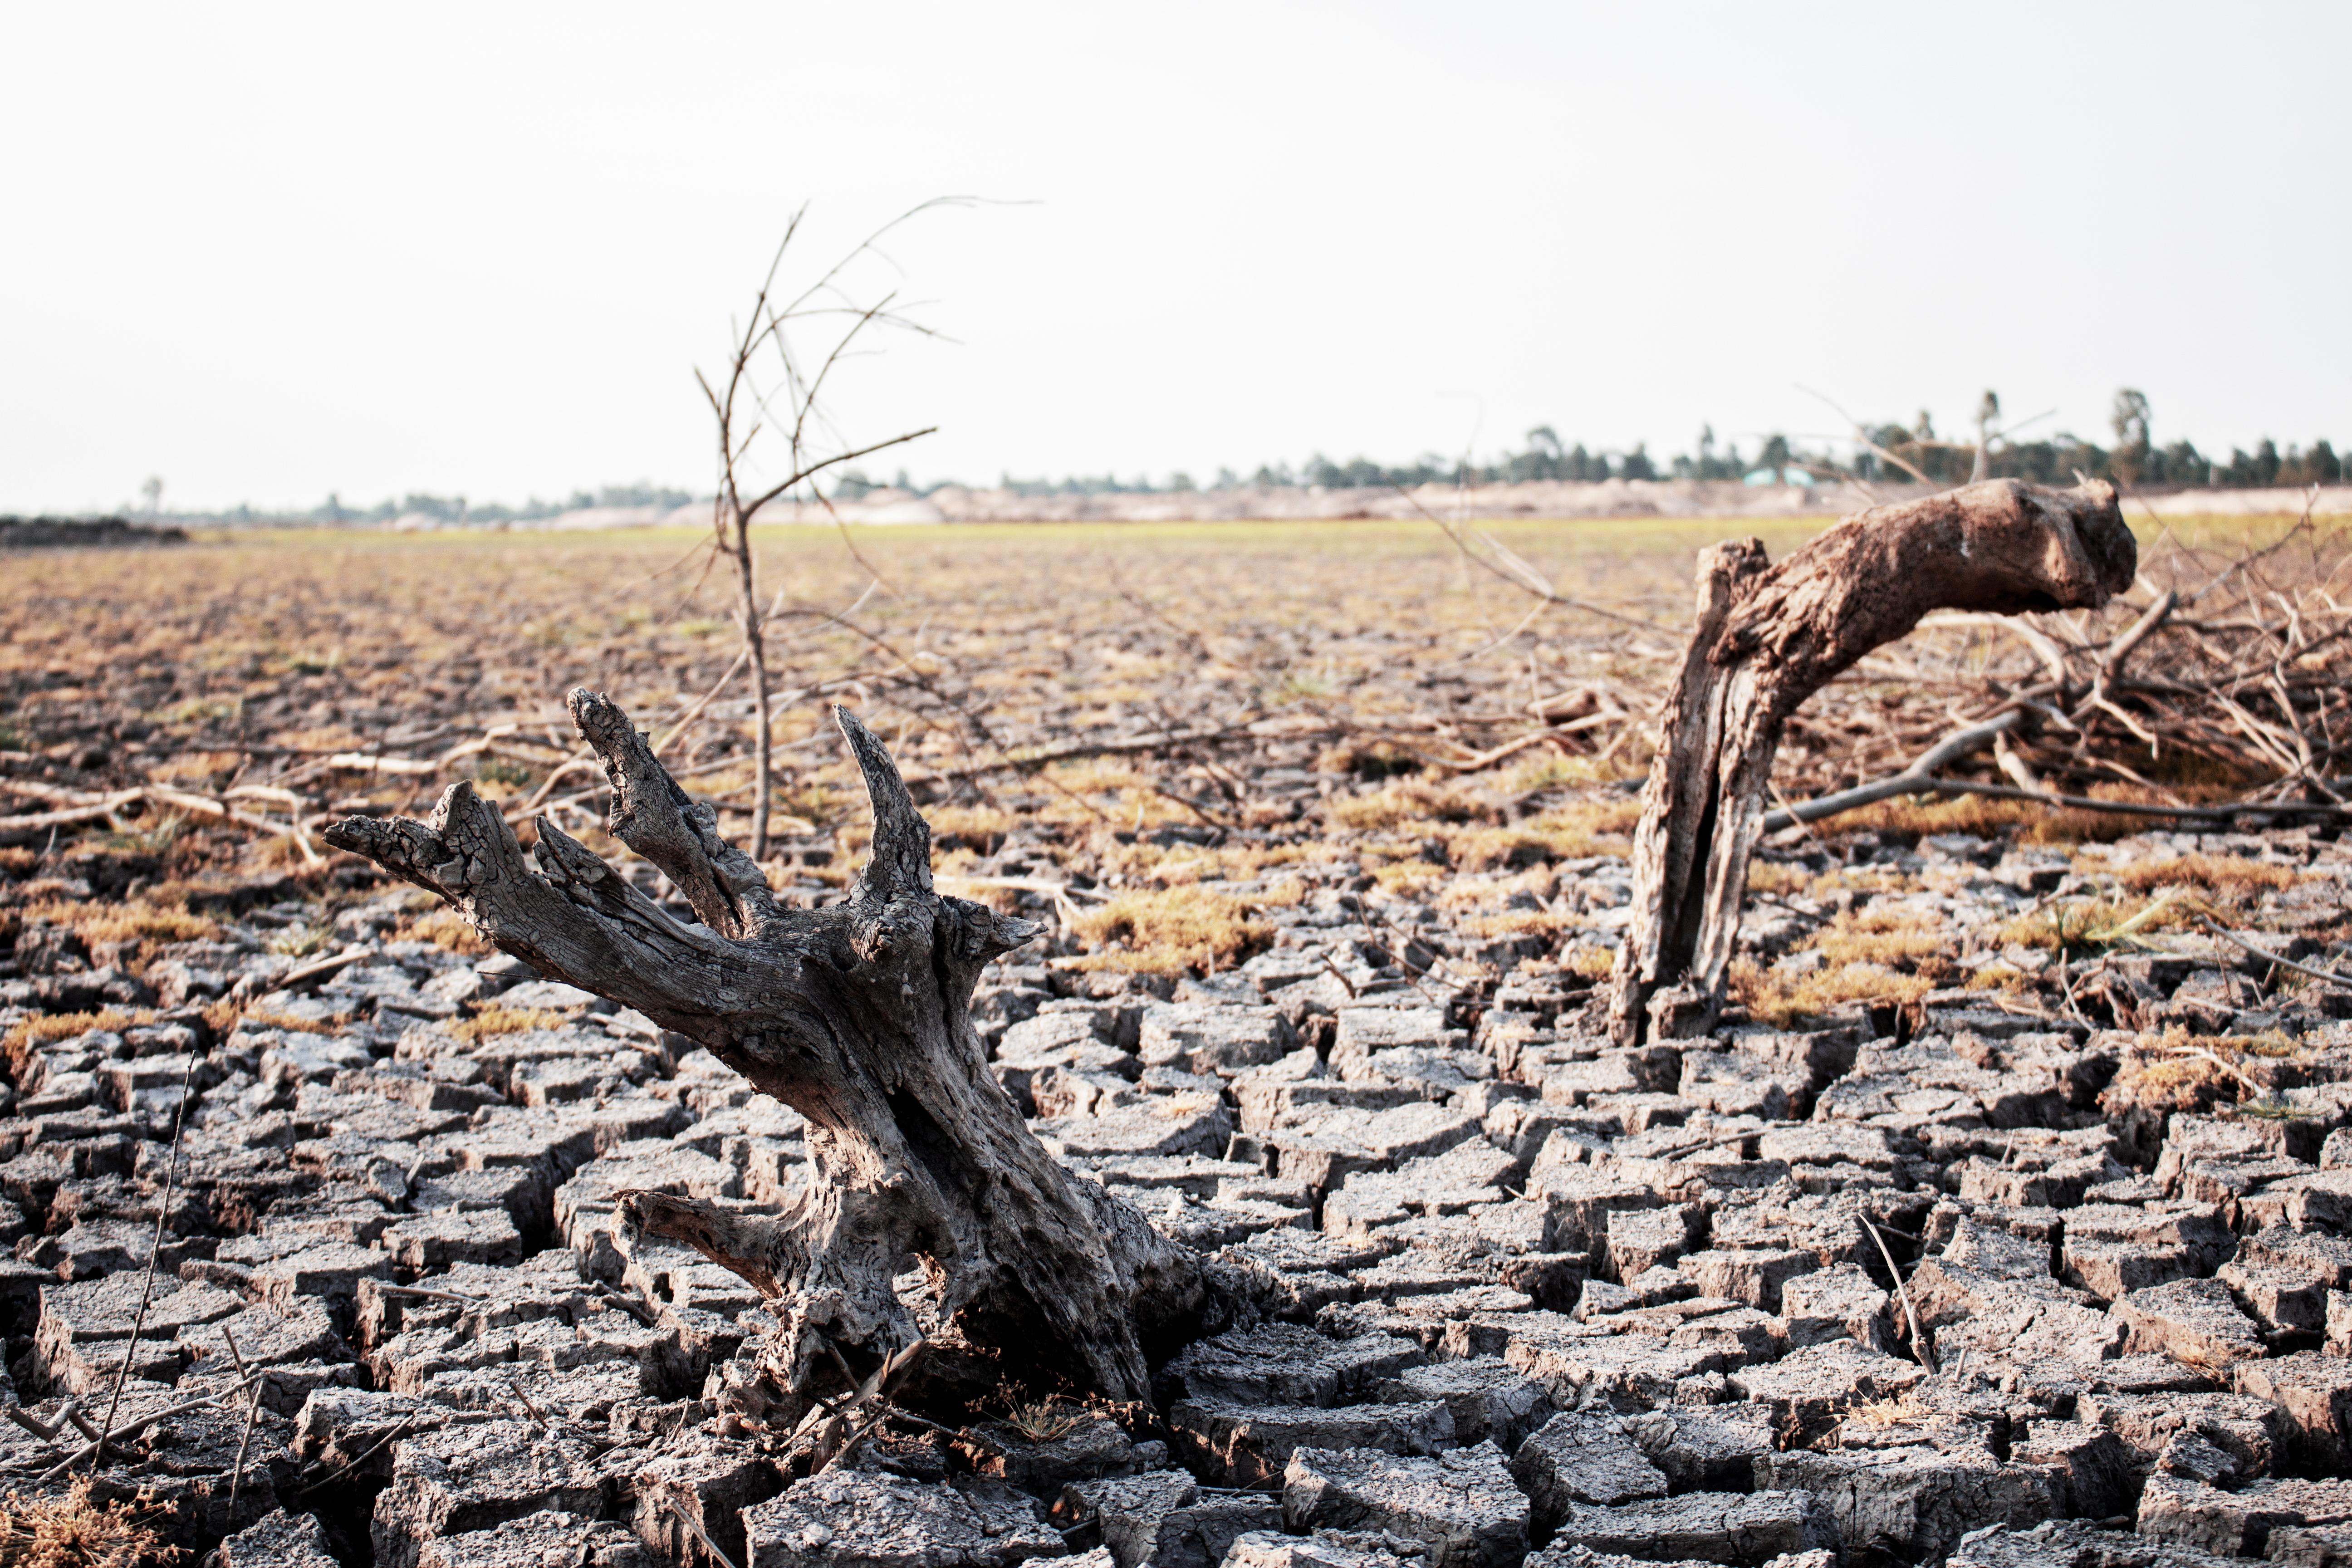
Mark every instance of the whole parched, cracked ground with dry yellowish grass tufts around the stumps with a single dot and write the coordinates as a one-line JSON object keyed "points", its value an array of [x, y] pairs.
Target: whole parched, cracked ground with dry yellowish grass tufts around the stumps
{"points": [[2005, 1219]]}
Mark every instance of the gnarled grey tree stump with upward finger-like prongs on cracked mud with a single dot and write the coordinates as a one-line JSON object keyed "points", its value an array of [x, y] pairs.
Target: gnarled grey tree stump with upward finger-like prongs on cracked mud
{"points": [[855, 1017]]}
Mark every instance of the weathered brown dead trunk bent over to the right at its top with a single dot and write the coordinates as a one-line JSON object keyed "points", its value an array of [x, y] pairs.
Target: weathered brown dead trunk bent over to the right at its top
{"points": [[1772, 636]]}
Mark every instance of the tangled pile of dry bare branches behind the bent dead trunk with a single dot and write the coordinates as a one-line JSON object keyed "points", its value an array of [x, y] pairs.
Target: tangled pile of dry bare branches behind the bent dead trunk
{"points": [[2217, 688]]}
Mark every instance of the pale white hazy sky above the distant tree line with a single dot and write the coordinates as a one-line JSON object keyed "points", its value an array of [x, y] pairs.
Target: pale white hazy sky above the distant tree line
{"points": [[274, 253]]}
